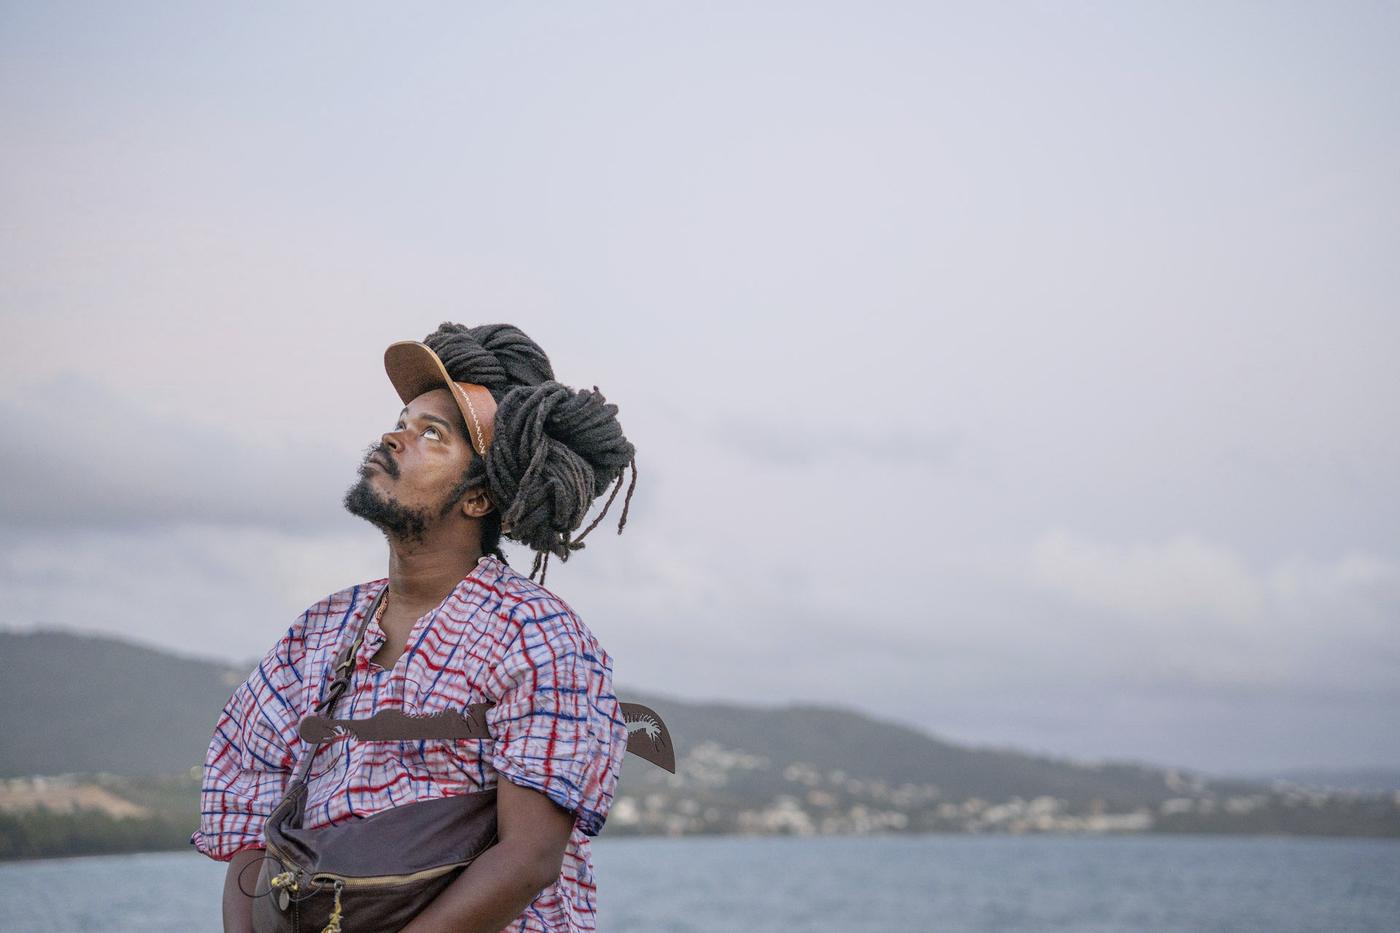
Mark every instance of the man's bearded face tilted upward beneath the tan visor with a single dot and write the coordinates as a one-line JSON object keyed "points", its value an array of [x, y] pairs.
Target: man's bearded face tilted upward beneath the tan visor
{"points": [[412, 478]]}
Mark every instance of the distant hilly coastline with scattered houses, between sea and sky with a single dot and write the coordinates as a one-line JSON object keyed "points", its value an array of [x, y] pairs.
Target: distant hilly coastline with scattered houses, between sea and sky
{"points": [[113, 717]]}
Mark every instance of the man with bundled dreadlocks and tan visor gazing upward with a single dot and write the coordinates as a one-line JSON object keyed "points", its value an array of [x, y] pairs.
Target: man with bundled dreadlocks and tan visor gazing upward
{"points": [[458, 627]]}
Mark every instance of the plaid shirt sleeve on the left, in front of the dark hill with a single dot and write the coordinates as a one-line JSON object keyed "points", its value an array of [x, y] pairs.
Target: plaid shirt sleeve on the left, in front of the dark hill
{"points": [[250, 759]]}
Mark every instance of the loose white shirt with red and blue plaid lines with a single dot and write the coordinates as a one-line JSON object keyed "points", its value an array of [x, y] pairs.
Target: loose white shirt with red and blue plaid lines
{"points": [[498, 638]]}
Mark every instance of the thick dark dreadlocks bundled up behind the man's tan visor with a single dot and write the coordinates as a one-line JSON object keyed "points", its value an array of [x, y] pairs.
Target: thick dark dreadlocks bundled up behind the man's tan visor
{"points": [[554, 450]]}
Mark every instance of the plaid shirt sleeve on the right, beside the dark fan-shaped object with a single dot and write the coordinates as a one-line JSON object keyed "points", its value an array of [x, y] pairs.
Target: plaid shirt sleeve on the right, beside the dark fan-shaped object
{"points": [[558, 725]]}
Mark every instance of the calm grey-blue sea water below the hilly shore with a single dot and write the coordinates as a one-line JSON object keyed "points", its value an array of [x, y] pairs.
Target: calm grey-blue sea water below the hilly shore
{"points": [[841, 885]]}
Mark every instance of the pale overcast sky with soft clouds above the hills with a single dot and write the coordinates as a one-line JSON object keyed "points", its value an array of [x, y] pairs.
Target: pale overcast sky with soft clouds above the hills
{"points": [[1023, 373]]}
